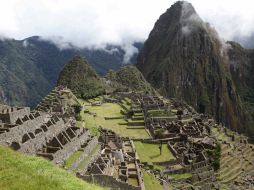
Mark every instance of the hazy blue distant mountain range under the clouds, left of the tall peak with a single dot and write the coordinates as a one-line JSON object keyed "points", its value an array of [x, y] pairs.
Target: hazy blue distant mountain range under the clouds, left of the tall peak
{"points": [[29, 68]]}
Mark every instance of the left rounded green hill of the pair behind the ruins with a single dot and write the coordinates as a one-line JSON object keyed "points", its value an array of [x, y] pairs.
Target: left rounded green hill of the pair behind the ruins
{"points": [[80, 77]]}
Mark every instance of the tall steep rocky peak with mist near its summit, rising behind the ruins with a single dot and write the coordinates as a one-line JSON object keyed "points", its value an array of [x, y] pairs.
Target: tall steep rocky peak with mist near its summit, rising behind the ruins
{"points": [[184, 58]]}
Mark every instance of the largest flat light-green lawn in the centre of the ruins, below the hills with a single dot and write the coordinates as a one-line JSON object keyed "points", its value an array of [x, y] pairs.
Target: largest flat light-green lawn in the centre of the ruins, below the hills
{"points": [[118, 125]]}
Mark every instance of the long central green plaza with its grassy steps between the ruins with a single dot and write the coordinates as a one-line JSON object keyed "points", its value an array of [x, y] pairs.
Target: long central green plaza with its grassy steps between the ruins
{"points": [[94, 116]]}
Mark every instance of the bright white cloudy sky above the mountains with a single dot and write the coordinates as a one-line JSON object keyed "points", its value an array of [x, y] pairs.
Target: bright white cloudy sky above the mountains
{"points": [[92, 23]]}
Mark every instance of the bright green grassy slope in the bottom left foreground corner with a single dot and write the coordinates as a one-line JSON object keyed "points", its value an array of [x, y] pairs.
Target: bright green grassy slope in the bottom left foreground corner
{"points": [[22, 172]]}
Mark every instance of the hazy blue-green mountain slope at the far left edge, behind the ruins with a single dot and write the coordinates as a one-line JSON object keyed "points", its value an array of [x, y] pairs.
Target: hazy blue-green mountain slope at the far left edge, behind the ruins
{"points": [[19, 75]]}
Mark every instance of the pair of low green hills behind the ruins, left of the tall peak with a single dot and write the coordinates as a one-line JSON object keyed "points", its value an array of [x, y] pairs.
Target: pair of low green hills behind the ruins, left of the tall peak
{"points": [[84, 82]]}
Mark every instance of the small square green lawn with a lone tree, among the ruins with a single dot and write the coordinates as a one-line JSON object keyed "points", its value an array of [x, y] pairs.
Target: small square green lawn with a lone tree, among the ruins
{"points": [[151, 152]]}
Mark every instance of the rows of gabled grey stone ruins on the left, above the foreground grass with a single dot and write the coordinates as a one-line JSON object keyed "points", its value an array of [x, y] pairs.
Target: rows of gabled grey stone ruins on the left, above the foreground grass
{"points": [[48, 133]]}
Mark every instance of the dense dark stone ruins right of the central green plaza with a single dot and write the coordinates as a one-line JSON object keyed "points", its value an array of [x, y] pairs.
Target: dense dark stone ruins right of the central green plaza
{"points": [[187, 134]]}
